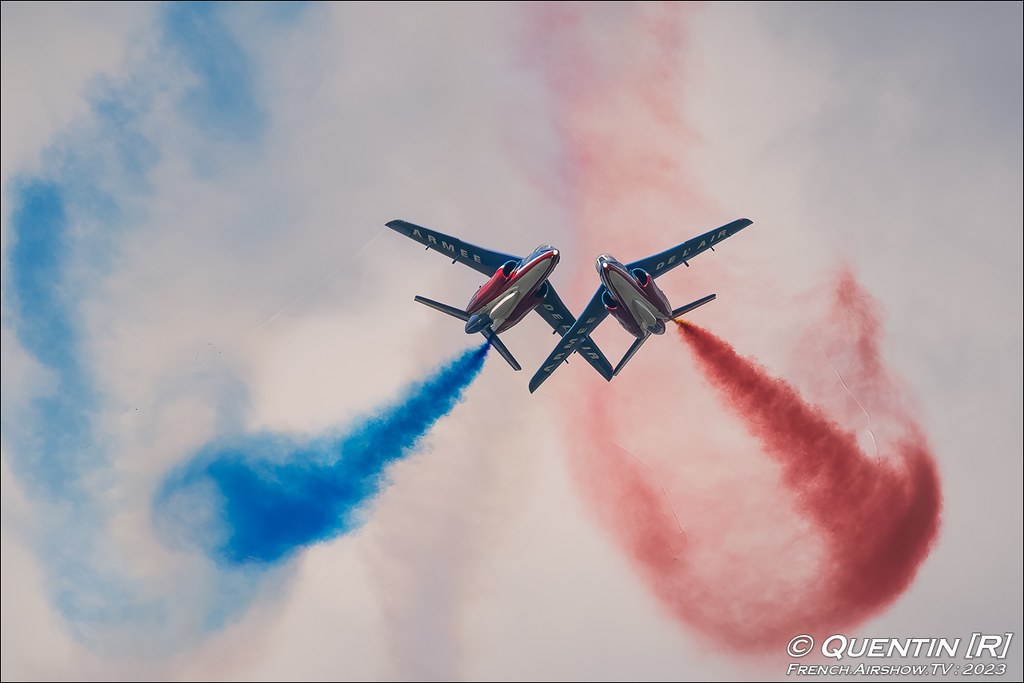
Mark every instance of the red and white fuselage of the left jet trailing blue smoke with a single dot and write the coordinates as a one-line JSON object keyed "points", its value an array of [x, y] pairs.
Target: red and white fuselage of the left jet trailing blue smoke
{"points": [[514, 291]]}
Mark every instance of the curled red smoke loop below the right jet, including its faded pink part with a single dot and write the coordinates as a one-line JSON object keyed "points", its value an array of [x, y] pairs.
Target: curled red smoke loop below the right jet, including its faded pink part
{"points": [[862, 527]]}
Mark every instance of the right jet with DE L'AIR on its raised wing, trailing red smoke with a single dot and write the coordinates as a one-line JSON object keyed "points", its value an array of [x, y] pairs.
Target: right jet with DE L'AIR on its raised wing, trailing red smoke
{"points": [[629, 293]]}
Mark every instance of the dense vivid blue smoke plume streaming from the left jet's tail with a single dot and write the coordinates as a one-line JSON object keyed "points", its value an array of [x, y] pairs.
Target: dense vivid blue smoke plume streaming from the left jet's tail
{"points": [[260, 499]]}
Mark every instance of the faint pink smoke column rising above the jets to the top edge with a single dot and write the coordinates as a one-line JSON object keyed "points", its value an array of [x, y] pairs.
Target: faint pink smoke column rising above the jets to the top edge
{"points": [[616, 111]]}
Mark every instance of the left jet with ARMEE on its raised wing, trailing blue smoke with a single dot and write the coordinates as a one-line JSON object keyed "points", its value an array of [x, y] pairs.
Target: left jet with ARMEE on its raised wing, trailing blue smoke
{"points": [[517, 286]]}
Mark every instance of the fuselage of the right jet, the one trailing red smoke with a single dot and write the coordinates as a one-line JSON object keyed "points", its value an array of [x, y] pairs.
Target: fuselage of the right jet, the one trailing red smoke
{"points": [[633, 298]]}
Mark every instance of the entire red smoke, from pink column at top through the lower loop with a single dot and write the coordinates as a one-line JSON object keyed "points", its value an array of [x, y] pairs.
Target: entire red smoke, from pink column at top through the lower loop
{"points": [[794, 529]]}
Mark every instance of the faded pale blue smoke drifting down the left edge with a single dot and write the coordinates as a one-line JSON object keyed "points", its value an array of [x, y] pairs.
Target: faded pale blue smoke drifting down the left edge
{"points": [[94, 188]]}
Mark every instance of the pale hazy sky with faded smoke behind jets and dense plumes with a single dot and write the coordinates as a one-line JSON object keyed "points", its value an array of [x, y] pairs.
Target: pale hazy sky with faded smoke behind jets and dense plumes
{"points": [[194, 201]]}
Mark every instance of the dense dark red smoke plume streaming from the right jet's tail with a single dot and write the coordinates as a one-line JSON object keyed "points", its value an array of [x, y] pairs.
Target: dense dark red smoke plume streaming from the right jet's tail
{"points": [[879, 519]]}
